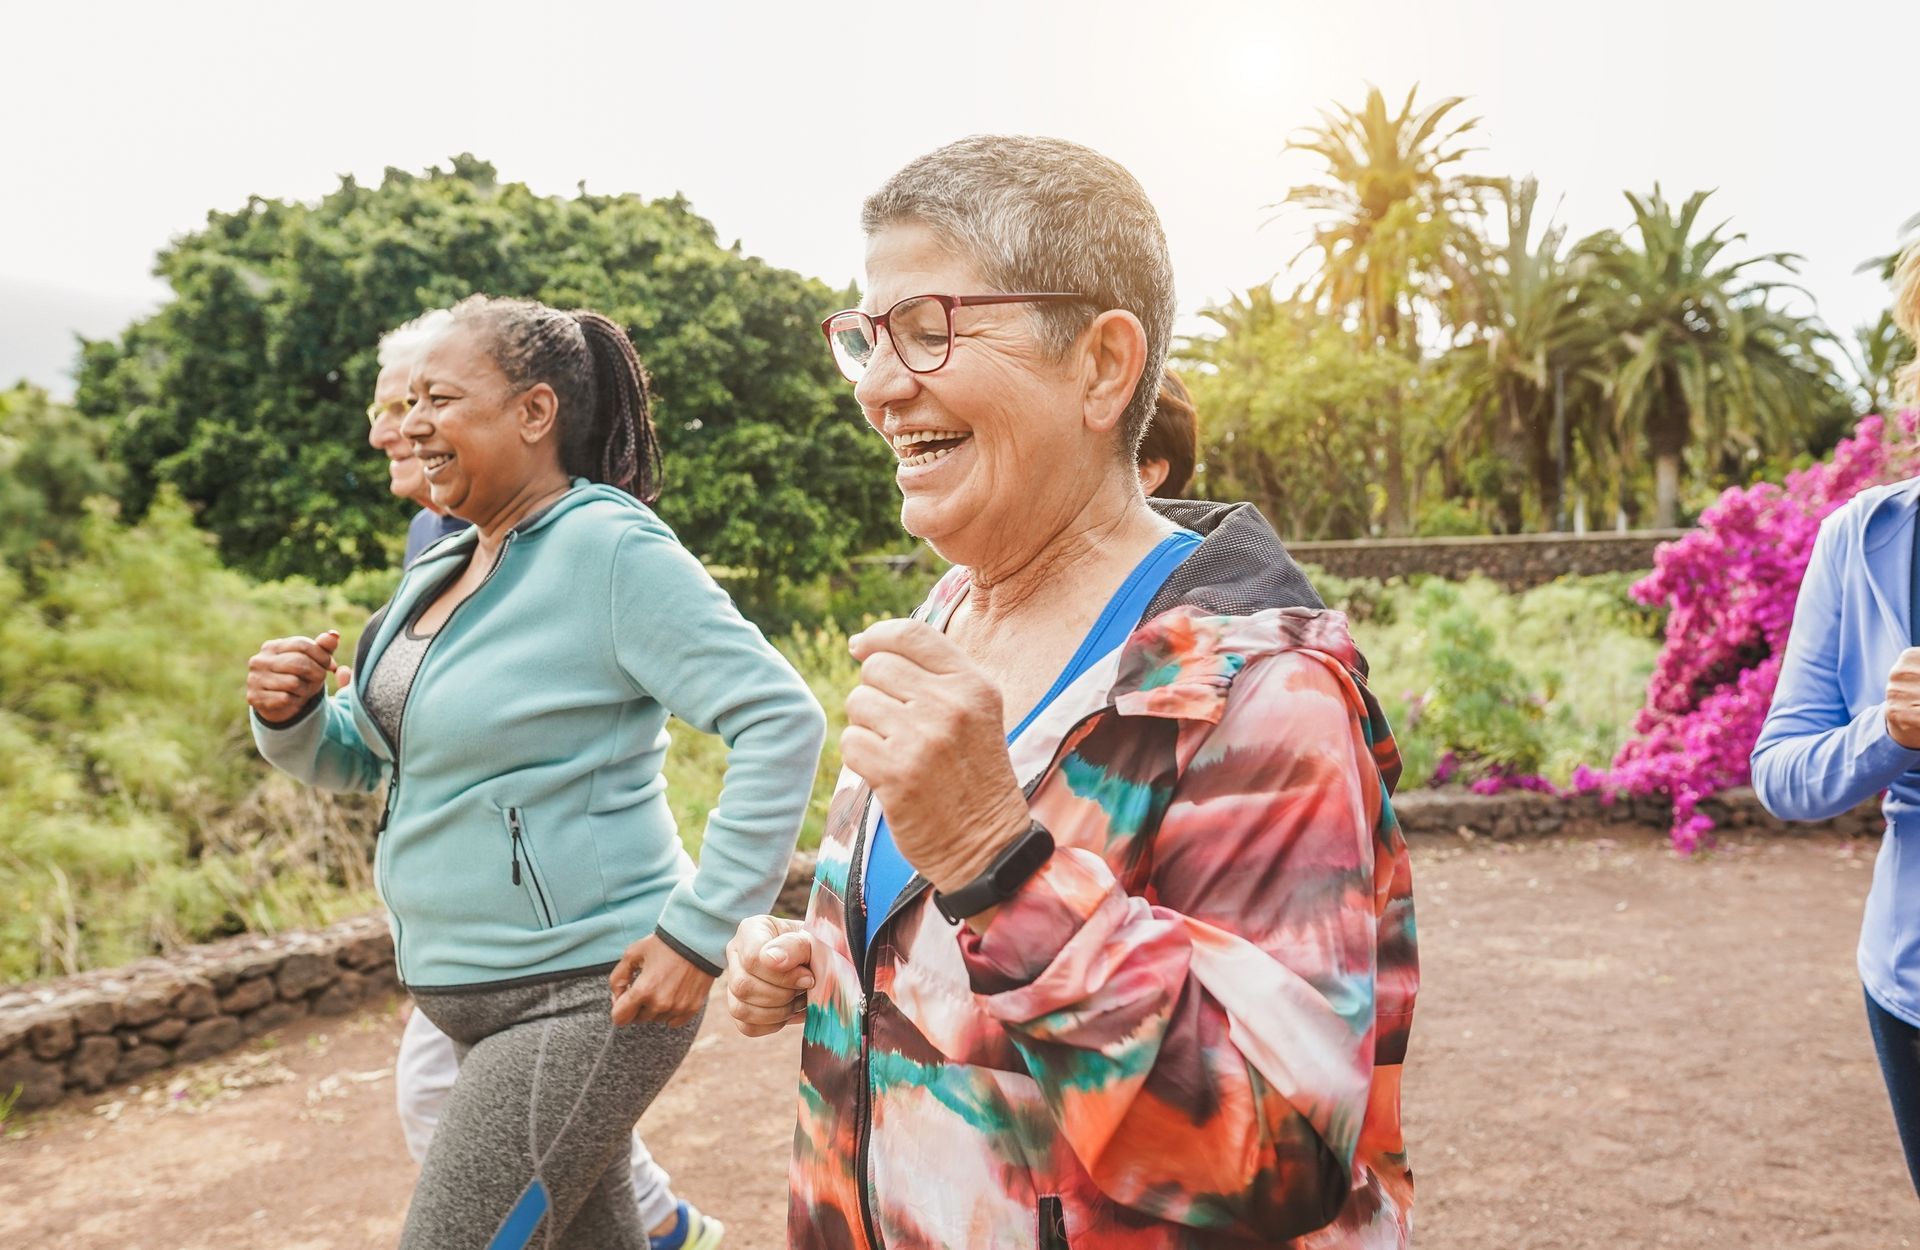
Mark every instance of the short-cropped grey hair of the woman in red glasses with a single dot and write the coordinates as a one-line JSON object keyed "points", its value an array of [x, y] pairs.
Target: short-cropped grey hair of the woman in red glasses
{"points": [[1044, 214]]}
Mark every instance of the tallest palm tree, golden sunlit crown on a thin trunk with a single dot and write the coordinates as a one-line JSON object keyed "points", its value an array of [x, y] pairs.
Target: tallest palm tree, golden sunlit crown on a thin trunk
{"points": [[1395, 231]]}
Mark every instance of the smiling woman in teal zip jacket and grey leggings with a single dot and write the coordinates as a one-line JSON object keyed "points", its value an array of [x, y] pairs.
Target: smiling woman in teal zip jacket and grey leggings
{"points": [[514, 696]]}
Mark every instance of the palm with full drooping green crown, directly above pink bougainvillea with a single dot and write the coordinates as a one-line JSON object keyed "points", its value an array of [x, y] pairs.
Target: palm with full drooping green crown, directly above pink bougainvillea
{"points": [[1696, 349]]}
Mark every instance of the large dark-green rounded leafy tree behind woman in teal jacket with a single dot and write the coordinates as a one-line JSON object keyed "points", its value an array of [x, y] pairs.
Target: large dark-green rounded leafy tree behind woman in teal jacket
{"points": [[247, 391]]}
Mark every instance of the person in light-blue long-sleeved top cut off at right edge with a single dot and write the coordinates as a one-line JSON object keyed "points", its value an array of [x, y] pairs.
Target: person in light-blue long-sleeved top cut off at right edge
{"points": [[1846, 725]]}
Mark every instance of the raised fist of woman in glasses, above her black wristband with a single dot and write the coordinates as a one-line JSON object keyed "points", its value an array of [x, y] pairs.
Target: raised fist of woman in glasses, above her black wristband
{"points": [[926, 731]]}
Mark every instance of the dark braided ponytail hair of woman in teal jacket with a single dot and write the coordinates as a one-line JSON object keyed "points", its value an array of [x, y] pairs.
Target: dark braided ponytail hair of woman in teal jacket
{"points": [[606, 410]]}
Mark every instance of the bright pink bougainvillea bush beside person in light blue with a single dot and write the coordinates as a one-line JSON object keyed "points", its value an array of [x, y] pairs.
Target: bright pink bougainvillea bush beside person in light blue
{"points": [[1731, 590]]}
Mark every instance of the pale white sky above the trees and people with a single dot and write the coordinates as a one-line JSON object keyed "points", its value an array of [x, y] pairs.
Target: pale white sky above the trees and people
{"points": [[124, 124]]}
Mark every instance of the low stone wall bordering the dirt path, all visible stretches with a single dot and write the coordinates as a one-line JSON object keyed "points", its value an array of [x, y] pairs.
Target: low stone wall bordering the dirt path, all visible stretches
{"points": [[116, 1026]]}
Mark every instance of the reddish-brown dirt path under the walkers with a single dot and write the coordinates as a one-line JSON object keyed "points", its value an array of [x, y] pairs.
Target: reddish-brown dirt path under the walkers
{"points": [[1614, 1049]]}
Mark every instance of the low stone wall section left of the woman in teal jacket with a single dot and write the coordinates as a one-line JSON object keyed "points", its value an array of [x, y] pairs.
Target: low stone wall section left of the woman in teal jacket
{"points": [[116, 1026]]}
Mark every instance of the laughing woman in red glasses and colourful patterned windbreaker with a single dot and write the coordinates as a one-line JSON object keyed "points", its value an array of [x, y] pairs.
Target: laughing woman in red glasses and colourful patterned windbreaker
{"points": [[1111, 942]]}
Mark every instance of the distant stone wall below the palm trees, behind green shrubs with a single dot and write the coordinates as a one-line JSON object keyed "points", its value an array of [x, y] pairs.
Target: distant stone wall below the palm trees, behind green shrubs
{"points": [[1516, 562]]}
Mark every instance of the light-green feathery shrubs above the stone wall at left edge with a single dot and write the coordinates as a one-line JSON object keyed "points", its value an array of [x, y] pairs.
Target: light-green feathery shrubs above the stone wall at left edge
{"points": [[133, 809]]}
